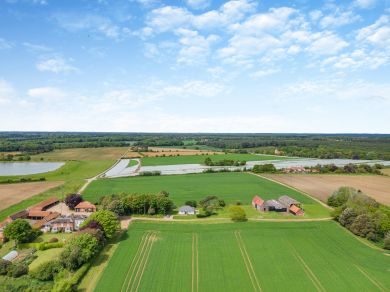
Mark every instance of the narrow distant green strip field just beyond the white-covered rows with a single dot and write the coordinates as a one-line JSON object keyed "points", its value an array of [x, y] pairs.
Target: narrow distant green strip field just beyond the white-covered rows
{"points": [[199, 159]]}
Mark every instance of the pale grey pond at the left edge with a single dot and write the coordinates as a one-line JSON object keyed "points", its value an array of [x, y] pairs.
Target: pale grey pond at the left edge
{"points": [[25, 168]]}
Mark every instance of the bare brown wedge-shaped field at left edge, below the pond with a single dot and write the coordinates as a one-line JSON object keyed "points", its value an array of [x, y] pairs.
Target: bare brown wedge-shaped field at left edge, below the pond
{"points": [[11, 194]]}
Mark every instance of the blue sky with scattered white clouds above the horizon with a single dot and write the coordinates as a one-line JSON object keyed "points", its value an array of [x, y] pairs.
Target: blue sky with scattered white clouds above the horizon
{"points": [[195, 66]]}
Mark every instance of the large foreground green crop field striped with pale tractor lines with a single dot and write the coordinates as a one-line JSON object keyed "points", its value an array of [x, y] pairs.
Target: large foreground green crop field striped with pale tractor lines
{"points": [[252, 256]]}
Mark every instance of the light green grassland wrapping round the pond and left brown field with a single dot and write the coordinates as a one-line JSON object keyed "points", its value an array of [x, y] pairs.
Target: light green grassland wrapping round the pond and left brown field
{"points": [[73, 173]]}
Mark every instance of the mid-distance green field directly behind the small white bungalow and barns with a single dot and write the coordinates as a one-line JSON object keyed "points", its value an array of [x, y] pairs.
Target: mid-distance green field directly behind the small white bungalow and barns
{"points": [[228, 186]]}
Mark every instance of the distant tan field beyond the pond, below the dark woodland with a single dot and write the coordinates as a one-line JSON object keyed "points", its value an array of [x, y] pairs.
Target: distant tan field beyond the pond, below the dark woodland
{"points": [[103, 153]]}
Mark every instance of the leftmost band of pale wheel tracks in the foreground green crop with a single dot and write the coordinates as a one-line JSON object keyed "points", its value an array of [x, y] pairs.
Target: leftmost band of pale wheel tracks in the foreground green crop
{"points": [[139, 263]]}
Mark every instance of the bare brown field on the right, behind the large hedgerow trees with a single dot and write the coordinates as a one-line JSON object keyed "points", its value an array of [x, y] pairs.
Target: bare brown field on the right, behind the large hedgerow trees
{"points": [[322, 186]]}
